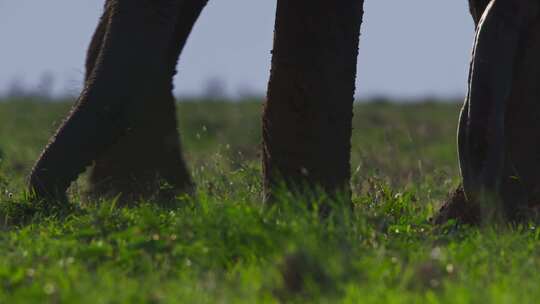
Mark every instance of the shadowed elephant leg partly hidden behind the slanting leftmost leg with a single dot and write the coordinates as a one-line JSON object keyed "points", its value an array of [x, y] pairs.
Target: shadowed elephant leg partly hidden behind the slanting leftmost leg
{"points": [[150, 153]]}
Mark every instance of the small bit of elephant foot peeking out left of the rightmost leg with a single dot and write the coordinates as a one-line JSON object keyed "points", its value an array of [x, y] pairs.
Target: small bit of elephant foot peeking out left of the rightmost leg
{"points": [[458, 208]]}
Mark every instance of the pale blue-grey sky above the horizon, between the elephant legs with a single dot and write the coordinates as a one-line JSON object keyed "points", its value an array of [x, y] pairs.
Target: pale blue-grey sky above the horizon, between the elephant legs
{"points": [[408, 48]]}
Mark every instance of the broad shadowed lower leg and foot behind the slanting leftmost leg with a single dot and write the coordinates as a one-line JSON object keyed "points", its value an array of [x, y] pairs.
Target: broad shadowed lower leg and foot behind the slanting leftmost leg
{"points": [[144, 165]]}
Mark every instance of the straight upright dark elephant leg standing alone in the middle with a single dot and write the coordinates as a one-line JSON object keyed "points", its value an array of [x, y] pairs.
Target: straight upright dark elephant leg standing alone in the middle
{"points": [[307, 120]]}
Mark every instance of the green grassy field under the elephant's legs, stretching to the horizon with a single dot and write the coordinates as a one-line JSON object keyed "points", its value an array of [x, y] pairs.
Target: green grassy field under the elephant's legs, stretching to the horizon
{"points": [[223, 246]]}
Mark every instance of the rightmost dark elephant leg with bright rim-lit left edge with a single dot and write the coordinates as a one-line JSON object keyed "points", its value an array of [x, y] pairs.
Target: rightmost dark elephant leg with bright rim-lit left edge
{"points": [[499, 129]]}
